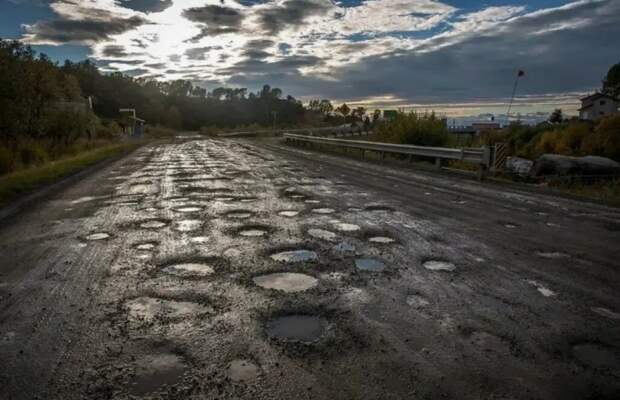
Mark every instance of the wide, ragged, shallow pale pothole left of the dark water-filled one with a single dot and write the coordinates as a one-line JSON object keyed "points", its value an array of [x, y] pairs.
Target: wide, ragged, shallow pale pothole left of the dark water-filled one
{"points": [[148, 309]]}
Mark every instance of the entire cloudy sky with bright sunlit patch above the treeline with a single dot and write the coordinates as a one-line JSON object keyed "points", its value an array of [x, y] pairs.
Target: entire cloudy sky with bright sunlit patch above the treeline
{"points": [[457, 57]]}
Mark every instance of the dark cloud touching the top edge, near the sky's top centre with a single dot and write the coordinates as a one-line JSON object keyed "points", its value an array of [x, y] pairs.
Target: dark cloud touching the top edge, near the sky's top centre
{"points": [[291, 13]]}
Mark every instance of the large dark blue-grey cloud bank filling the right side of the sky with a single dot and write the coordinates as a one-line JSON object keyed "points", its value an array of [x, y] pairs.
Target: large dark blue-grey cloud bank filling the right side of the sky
{"points": [[563, 50]]}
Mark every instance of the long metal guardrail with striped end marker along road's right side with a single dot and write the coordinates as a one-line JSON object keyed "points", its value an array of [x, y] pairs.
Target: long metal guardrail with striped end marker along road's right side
{"points": [[480, 156]]}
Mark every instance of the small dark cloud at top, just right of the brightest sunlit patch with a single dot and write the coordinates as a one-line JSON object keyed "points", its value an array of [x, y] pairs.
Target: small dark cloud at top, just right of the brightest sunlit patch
{"points": [[215, 20]]}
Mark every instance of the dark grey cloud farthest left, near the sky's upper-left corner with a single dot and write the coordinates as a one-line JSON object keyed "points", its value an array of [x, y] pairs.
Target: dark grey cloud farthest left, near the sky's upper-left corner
{"points": [[98, 25]]}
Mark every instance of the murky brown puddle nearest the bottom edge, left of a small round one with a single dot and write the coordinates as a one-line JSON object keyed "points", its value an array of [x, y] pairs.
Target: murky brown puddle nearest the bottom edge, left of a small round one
{"points": [[154, 372]]}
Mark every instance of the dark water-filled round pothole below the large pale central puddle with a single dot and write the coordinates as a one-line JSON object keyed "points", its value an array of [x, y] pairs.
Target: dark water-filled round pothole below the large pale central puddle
{"points": [[306, 329]]}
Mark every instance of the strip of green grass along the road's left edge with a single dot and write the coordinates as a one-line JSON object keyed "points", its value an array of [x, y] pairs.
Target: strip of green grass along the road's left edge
{"points": [[18, 183]]}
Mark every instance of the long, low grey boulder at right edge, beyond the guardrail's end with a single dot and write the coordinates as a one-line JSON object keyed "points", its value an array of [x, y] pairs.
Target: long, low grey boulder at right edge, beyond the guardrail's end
{"points": [[554, 164]]}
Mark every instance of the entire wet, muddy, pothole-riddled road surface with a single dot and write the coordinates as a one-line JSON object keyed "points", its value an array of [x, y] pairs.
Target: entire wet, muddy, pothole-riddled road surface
{"points": [[248, 270]]}
